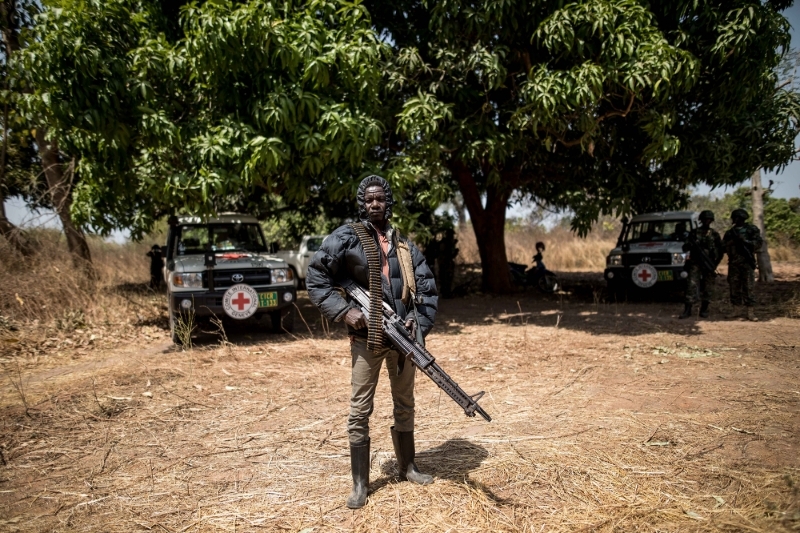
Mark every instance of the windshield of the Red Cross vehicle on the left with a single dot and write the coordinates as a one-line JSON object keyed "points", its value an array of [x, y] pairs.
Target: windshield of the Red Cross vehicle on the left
{"points": [[197, 238]]}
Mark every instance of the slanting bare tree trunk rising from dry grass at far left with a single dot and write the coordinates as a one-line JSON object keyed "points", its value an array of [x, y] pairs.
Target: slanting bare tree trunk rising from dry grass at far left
{"points": [[59, 185]]}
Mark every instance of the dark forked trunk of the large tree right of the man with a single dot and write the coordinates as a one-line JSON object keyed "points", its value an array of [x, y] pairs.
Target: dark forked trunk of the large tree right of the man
{"points": [[488, 222]]}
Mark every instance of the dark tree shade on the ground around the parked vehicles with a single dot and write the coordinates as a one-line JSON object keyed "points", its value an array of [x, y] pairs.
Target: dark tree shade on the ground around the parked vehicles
{"points": [[581, 305]]}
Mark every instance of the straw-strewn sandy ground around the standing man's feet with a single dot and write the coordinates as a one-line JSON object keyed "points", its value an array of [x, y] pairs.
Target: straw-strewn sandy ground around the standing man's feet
{"points": [[606, 417]]}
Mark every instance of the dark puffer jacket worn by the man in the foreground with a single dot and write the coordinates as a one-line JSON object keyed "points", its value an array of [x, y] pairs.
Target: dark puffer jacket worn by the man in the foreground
{"points": [[341, 256]]}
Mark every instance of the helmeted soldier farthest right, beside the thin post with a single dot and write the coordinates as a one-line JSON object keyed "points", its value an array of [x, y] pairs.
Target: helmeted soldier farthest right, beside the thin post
{"points": [[741, 243]]}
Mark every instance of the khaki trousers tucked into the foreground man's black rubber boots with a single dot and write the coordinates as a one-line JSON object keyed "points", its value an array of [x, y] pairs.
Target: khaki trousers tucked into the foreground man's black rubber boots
{"points": [[366, 367]]}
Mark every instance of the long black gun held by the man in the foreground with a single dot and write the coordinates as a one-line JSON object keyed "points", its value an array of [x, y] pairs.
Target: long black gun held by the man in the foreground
{"points": [[405, 343]]}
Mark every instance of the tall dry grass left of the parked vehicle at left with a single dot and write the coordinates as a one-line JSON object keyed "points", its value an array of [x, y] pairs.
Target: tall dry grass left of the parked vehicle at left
{"points": [[47, 306]]}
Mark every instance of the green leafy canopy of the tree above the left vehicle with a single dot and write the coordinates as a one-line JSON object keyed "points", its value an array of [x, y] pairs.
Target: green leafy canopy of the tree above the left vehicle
{"points": [[248, 103]]}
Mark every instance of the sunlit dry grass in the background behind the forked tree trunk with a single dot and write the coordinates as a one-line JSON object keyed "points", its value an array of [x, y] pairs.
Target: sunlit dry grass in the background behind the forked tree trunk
{"points": [[566, 252]]}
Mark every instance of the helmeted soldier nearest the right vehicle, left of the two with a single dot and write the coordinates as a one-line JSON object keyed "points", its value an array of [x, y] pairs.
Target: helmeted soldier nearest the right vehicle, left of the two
{"points": [[705, 252]]}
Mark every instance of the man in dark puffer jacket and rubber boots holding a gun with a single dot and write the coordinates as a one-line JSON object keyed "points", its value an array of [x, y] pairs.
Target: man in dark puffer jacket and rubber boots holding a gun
{"points": [[374, 256]]}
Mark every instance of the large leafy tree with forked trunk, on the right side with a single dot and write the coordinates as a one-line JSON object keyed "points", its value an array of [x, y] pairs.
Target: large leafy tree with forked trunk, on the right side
{"points": [[601, 107]]}
